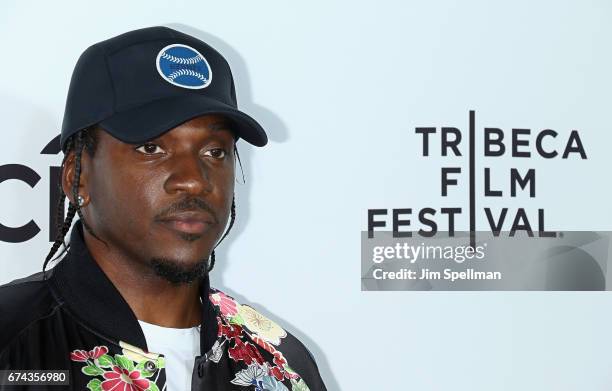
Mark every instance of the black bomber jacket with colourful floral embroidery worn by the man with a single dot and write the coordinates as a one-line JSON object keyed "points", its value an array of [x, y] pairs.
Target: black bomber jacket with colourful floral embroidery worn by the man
{"points": [[74, 319]]}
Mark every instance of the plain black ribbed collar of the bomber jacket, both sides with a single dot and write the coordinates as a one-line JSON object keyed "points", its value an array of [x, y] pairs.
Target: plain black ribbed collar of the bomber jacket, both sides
{"points": [[91, 297]]}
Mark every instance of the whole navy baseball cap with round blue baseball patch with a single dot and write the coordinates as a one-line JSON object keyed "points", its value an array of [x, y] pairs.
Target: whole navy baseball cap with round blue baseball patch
{"points": [[143, 83]]}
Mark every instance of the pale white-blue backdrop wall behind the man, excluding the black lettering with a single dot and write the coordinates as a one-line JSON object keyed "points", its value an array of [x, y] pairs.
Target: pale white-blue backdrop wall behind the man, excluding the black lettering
{"points": [[340, 87]]}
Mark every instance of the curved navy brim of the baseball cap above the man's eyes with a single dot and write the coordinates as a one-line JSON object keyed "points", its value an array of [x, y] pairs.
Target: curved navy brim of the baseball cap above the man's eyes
{"points": [[149, 121]]}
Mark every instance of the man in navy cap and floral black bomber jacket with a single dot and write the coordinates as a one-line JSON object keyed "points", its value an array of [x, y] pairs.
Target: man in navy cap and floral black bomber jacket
{"points": [[149, 137]]}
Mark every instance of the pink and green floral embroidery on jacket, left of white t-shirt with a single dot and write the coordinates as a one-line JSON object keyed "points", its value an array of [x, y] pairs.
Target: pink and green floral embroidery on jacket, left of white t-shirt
{"points": [[129, 371]]}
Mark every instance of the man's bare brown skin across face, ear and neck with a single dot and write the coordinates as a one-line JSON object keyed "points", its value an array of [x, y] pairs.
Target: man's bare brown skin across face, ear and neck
{"points": [[133, 194]]}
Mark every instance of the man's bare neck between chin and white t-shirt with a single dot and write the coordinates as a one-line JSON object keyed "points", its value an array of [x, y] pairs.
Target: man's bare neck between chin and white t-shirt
{"points": [[152, 298]]}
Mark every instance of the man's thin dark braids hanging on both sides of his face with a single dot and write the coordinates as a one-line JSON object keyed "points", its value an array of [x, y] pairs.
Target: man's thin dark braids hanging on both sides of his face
{"points": [[88, 138]]}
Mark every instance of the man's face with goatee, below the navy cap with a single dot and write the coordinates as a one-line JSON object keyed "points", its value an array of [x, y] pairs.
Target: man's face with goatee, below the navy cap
{"points": [[164, 203]]}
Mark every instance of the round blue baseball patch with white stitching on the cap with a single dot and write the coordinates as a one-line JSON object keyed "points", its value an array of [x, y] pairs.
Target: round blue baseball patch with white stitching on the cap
{"points": [[183, 66]]}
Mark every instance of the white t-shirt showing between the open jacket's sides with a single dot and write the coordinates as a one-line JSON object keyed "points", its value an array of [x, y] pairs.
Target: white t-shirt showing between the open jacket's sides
{"points": [[180, 348]]}
